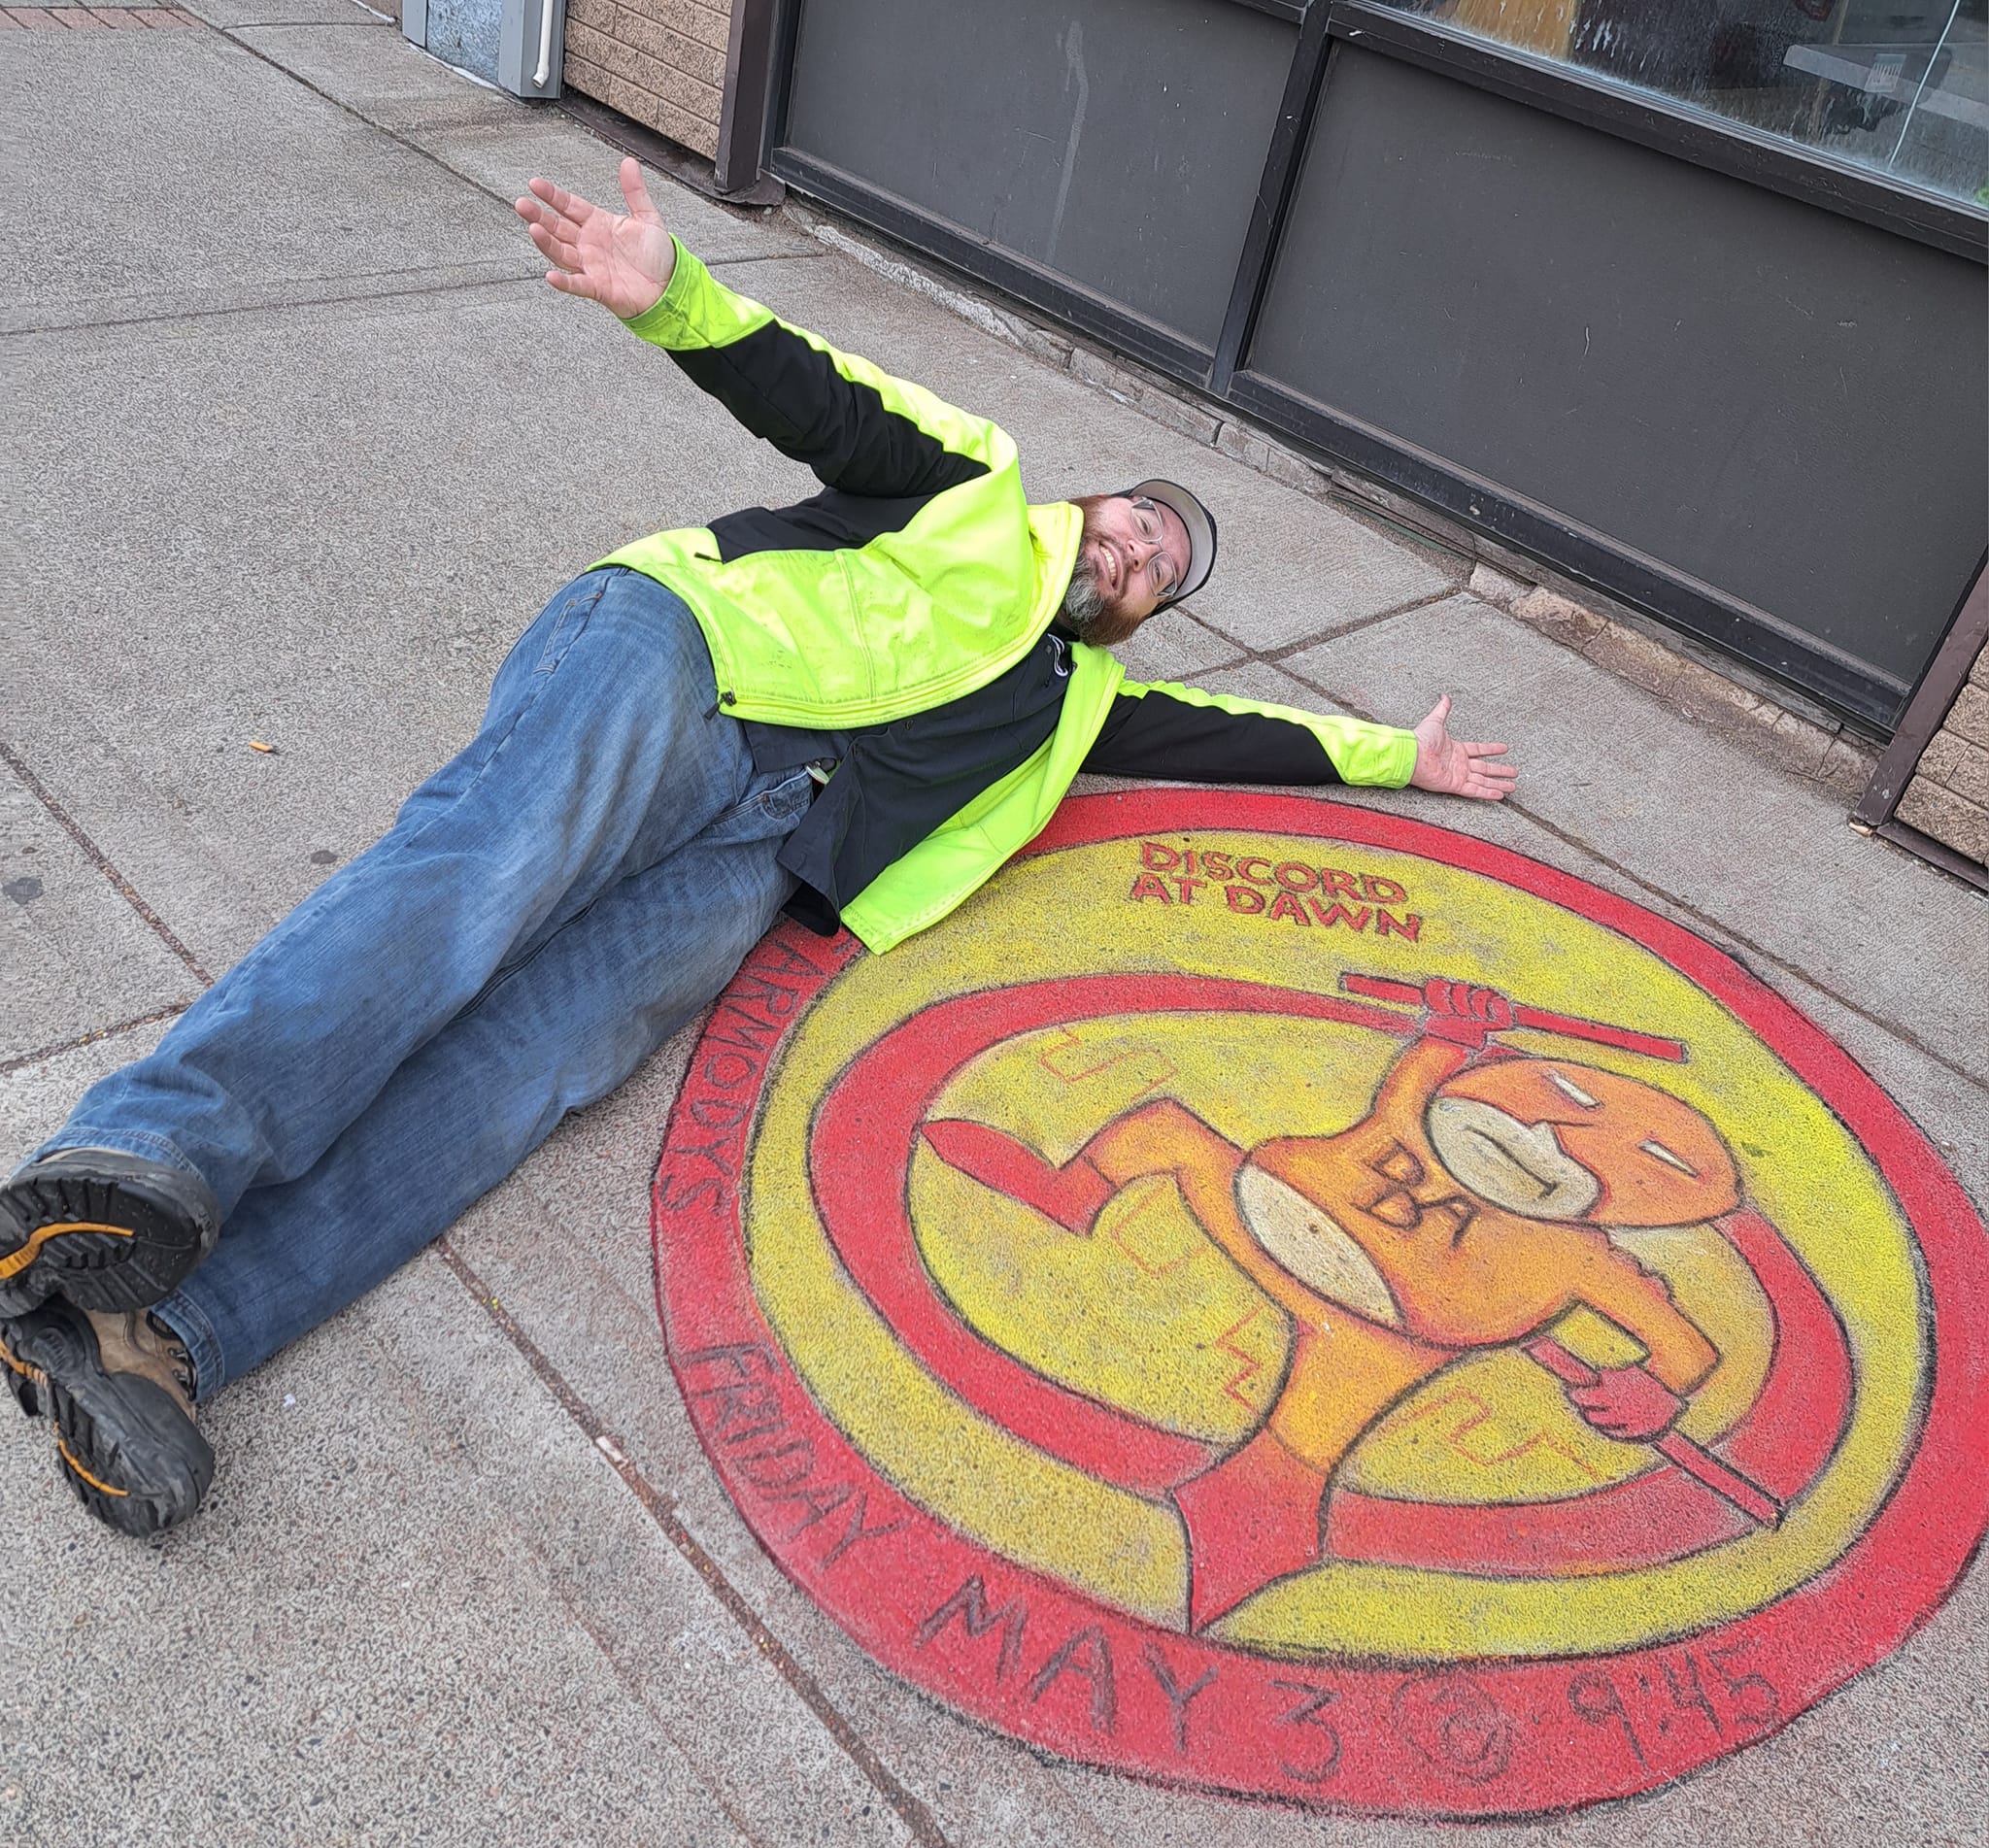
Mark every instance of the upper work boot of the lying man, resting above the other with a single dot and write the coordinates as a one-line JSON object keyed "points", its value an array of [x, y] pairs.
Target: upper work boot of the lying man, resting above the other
{"points": [[102, 1230]]}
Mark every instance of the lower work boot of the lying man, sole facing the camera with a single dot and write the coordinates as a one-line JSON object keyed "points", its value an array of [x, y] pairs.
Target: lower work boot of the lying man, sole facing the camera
{"points": [[118, 1391]]}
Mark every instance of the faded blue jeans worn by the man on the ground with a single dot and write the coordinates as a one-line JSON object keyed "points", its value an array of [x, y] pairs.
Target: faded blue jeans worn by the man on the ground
{"points": [[544, 914]]}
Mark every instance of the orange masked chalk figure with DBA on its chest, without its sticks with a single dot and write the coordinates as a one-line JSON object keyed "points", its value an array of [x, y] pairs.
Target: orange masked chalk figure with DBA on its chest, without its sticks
{"points": [[1471, 1208]]}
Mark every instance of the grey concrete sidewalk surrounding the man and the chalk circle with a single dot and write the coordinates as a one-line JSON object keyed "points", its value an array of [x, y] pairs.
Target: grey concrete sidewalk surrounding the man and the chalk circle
{"points": [[303, 441]]}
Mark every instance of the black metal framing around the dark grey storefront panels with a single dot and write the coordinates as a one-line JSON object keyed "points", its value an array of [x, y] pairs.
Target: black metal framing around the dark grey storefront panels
{"points": [[1871, 701]]}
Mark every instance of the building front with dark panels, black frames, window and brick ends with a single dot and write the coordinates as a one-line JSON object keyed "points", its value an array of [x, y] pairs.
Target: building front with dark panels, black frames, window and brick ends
{"points": [[1684, 299]]}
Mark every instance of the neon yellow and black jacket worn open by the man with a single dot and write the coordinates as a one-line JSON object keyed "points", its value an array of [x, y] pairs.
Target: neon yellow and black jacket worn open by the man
{"points": [[918, 576]]}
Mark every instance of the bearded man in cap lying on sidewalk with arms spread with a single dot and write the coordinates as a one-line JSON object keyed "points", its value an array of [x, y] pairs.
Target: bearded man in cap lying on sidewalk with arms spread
{"points": [[854, 709]]}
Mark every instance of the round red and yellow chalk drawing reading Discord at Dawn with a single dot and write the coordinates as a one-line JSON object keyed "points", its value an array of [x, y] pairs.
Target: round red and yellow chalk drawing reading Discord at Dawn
{"points": [[1292, 1302]]}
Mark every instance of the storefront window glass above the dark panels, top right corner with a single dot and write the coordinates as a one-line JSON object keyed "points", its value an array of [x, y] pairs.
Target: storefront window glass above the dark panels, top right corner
{"points": [[1899, 87]]}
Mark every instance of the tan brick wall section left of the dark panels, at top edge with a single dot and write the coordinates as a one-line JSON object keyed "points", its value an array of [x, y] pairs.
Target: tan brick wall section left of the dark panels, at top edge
{"points": [[661, 63]]}
